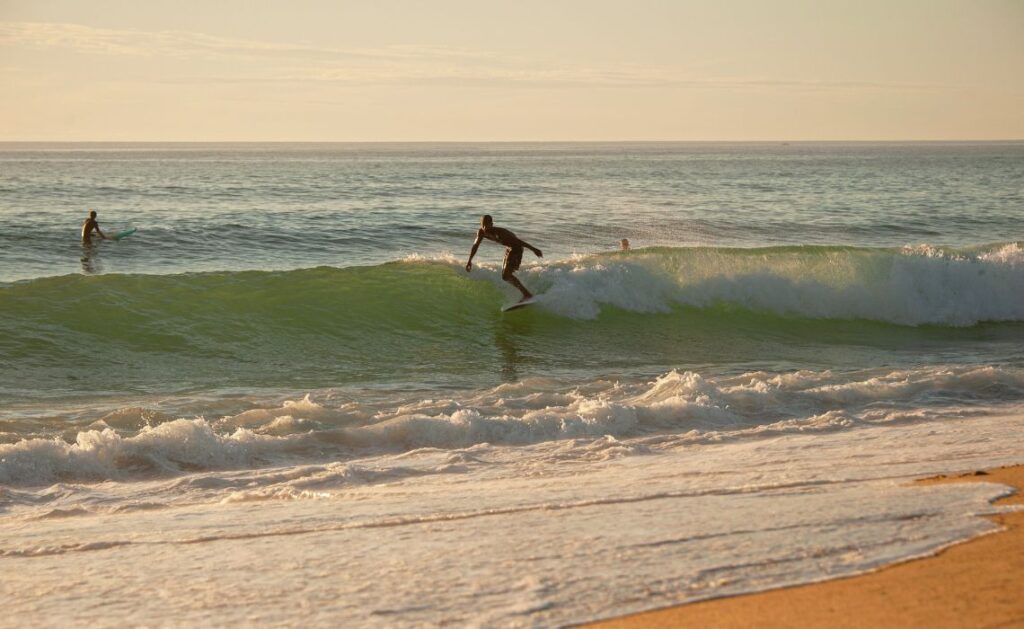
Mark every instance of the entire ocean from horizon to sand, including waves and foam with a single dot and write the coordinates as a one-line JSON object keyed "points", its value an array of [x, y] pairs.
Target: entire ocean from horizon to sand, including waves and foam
{"points": [[285, 400]]}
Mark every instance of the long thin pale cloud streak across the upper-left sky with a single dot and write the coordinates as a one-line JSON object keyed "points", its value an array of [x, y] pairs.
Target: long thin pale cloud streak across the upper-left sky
{"points": [[272, 62]]}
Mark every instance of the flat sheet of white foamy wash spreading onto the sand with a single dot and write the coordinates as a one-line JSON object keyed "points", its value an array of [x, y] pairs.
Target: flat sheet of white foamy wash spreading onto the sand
{"points": [[589, 527]]}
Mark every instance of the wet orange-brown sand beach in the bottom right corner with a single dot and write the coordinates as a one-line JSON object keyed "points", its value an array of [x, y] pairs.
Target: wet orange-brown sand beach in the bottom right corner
{"points": [[967, 584]]}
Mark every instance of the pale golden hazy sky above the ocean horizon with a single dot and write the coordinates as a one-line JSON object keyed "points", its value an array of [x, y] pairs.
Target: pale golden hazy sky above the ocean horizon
{"points": [[514, 71]]}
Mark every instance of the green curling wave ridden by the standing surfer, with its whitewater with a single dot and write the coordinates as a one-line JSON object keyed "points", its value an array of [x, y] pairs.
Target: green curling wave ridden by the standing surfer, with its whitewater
{"points": [[425, 320]]}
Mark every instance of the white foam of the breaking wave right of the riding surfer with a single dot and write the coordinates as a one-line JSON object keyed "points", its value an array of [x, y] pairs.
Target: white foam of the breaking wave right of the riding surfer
{"points": [[918, 286]]}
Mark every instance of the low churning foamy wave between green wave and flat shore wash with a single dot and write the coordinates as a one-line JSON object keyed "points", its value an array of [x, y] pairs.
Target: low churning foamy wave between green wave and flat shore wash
{"points": [[681, 404]]}
